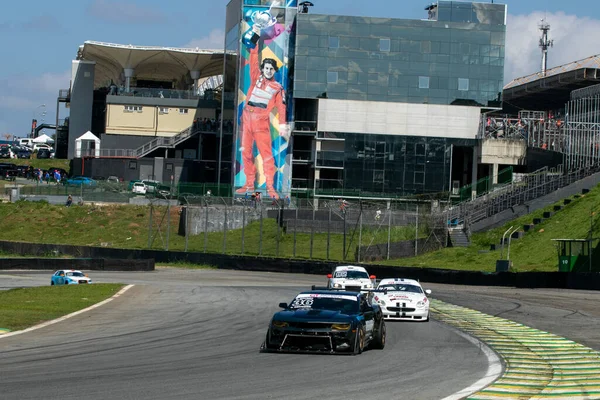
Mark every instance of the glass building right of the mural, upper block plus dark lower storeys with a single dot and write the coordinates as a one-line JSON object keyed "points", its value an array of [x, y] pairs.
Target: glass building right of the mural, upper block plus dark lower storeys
{"points": [[453, 58]]}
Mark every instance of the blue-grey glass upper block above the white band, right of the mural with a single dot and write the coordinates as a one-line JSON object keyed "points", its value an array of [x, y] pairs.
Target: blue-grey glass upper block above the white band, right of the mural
{"points": [[456, 57]]}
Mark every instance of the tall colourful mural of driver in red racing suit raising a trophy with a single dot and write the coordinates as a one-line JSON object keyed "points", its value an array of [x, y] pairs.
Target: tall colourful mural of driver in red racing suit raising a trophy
{"points": [[264, 109]]}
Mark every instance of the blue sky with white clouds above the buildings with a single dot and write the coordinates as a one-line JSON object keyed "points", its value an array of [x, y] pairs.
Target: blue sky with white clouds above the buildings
{"points": [[39, 39]]}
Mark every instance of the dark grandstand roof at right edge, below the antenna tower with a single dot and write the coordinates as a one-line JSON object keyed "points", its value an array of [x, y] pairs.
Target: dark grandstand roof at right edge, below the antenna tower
{"points": [[552, 91]]}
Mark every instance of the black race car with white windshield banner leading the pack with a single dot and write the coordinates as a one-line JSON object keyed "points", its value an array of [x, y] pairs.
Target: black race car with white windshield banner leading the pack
{"points": [[326, 321]]}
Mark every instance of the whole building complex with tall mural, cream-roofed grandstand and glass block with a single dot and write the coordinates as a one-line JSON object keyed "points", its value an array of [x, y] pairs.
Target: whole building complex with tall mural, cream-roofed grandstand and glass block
{"points": [[302, 103]]}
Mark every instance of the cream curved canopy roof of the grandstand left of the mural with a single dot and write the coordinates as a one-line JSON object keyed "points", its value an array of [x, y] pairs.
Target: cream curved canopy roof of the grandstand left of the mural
{"points": [[149, 62]]}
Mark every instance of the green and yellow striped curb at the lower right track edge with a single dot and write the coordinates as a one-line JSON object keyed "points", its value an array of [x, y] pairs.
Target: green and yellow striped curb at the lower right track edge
{"points": [[539, 365]]}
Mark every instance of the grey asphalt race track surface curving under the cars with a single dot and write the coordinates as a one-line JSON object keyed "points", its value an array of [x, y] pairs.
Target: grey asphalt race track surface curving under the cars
{"points": [[196, 334]]}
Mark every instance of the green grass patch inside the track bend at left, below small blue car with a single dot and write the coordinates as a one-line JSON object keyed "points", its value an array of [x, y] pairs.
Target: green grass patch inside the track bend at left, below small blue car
{"points": [[22, 308]]}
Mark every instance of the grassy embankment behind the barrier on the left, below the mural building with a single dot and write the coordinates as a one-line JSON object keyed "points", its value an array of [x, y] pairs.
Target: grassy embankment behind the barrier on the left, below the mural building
{"points": [[128, 226]]}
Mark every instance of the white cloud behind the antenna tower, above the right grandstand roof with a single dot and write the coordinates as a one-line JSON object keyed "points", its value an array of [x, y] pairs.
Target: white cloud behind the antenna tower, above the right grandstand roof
{"points": [[572, 35]]}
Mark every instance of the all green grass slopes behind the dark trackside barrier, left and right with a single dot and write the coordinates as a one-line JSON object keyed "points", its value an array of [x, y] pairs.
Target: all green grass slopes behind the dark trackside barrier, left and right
{"points": [[127, 226]]}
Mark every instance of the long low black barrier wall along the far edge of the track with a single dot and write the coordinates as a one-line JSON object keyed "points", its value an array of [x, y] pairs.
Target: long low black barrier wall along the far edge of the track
{"points": [[560, 280]]}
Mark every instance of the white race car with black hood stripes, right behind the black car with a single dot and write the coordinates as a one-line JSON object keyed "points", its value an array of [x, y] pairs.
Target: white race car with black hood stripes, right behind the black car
{"points": [[402, 299]]}
